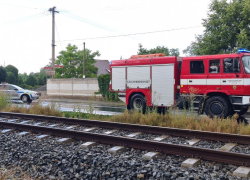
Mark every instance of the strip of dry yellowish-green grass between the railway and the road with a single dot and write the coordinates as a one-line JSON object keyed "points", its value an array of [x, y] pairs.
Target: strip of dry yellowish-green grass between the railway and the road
{"points": [[173, 119]]}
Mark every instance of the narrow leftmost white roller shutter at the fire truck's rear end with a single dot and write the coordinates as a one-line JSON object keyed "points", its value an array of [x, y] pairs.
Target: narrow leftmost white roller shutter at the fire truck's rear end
{"points": [[118, 78]]}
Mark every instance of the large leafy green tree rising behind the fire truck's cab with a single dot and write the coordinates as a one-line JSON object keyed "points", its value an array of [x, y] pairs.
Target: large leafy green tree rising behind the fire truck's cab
{"points": [[226, 29]]}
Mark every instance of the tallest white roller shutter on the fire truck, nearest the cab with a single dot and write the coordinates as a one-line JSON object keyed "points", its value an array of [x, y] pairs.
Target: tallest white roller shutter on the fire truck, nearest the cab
{"points": [[163, 85]]}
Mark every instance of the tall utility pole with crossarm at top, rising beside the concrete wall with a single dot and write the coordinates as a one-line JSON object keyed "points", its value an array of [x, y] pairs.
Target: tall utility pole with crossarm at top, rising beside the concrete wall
{"points": [[53, 38]]}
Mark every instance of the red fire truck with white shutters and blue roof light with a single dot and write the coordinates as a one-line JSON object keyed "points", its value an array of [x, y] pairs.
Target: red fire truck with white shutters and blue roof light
{"points": [[220, 84]]}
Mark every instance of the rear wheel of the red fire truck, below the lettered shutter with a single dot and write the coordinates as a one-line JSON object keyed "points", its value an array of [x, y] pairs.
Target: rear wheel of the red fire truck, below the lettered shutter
{"points": [[138, 103]]}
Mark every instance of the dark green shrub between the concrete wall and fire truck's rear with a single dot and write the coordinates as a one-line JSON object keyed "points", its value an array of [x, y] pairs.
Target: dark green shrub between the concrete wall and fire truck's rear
{"points": [[103, 83]]}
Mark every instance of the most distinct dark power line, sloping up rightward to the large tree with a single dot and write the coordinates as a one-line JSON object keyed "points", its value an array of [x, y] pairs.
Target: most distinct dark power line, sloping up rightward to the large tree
{"points": [[167, 30]]}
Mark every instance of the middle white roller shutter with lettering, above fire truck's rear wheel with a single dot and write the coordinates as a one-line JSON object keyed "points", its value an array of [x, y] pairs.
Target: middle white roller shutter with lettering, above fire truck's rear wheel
{"points": [[138, 77]]}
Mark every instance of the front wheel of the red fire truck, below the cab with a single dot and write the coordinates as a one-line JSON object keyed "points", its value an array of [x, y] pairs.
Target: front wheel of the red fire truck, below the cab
{"points": [[217, 106]]}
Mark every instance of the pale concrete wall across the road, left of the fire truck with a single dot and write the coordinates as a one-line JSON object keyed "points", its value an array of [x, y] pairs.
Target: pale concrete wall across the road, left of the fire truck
{"points": [[72, 86]]}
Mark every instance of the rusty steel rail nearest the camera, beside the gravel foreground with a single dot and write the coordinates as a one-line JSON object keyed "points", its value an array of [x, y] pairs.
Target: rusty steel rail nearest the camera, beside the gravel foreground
{"points": [[182, 150]]}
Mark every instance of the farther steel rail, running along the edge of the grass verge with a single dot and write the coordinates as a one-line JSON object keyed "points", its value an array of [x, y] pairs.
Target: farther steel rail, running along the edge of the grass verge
{"points": [[207, 135]]}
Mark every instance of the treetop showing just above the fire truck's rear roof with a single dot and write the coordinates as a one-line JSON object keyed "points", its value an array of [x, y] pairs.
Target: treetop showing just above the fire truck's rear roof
{"points": [[158, 49]]}
